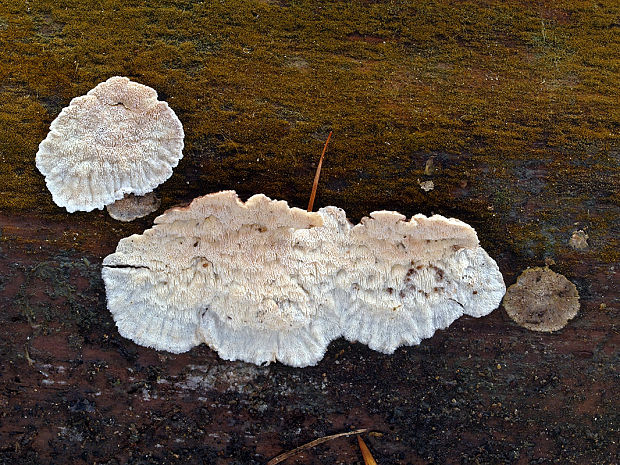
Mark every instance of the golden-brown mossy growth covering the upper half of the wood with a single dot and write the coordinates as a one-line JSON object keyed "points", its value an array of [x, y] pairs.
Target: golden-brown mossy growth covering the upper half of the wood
{"points": [[489, 86]]}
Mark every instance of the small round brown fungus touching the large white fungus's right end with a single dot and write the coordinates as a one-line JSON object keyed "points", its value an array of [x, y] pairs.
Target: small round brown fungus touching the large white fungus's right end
{"points": [[542, 300]]}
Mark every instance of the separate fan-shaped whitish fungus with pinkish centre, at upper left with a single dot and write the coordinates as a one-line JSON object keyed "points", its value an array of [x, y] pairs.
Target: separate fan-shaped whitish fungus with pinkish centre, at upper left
{"points": [[116, 140]]}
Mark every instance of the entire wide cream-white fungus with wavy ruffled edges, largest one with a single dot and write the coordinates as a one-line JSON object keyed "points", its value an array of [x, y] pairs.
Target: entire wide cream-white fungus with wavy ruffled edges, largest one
{"points": [[261, 281]]}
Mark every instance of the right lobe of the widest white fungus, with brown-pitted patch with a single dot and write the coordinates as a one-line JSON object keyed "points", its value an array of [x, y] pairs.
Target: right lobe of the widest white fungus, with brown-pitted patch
{"points": [[402, 280]]}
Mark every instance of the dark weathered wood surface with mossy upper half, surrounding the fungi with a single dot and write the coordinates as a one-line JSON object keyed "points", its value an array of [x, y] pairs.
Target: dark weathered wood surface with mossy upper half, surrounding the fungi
{"points": [[510, 109]]}
